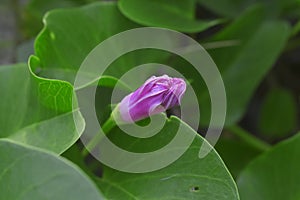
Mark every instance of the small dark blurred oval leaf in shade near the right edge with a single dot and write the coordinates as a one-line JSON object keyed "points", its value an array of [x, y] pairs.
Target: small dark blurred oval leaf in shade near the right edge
{"points": [[278, 113]]}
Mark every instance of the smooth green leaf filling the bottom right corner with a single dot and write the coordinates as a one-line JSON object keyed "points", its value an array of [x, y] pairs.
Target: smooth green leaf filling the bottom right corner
{"points": [[273, 175]]}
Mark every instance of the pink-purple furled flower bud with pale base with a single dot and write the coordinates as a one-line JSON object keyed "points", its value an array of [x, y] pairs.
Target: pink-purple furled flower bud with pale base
{"points": [[156, 95]]}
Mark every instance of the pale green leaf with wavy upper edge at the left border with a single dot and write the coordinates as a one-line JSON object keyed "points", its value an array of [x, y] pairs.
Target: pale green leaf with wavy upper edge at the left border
{"points": [[37, 111]]}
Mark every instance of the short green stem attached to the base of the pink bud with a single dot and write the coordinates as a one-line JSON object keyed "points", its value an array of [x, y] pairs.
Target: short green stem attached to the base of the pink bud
{"points": [[107, 126]]}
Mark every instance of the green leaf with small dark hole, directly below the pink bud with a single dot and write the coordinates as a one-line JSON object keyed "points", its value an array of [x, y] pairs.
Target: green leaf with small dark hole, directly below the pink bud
{"points": [[189, 177]]}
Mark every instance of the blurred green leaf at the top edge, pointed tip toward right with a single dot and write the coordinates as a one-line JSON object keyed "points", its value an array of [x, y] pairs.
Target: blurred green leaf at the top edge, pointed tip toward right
{"points": [[177, 15]]}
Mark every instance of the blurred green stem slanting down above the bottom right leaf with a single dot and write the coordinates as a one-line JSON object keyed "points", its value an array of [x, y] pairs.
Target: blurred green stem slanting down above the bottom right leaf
{"points": [[249, 138]]}
